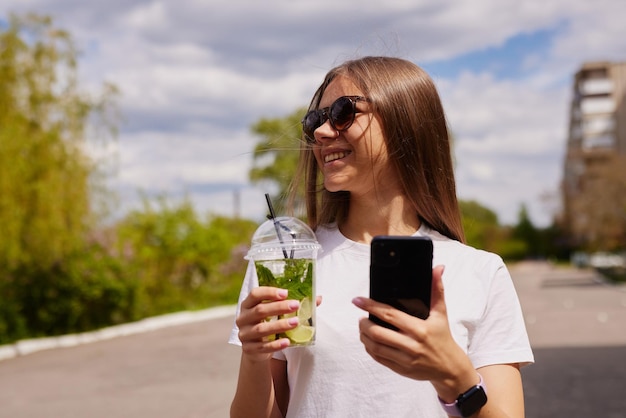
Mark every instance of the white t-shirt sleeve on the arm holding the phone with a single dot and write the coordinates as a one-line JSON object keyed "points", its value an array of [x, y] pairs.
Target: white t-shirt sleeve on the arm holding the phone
{"points": [[500, 337]]}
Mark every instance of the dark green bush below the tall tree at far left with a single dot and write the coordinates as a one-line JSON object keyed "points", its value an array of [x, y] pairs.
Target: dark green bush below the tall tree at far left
{"points": [[84, 291]]}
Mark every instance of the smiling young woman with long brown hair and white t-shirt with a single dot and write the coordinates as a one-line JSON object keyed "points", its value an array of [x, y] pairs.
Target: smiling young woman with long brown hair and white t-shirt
{"points": [[376, 161]]}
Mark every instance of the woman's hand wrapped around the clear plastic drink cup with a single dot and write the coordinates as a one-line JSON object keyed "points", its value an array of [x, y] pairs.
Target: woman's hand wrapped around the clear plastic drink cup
{"points": [[254, 331]]}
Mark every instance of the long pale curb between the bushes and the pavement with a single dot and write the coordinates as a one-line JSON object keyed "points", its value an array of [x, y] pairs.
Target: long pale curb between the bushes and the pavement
{"points": [[29, 346]]}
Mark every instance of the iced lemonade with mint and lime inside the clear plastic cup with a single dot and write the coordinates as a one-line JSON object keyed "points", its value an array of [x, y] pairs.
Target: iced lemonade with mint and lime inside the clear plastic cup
{"points": [[295, 275]]}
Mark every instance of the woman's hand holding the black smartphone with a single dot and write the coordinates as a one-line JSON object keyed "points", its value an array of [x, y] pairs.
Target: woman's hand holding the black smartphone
{"points": [[420, 349]]}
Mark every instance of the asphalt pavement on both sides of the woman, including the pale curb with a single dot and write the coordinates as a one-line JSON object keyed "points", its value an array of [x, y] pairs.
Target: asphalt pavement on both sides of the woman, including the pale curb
{"points": [[182, 367]]}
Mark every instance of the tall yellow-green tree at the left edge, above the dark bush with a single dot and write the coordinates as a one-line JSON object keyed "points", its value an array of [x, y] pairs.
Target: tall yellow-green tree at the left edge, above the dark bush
{"points": [[45, 175]]}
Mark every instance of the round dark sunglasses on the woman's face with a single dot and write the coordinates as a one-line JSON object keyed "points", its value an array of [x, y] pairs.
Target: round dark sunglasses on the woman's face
{"points": [[341, 115]]}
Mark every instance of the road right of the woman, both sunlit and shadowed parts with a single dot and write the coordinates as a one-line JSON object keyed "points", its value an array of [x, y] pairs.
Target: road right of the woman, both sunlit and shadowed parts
{"points": [[577, 327]]}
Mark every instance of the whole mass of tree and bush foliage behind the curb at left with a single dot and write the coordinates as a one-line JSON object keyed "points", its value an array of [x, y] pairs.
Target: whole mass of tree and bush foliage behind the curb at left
{"points": [[61, 271]]}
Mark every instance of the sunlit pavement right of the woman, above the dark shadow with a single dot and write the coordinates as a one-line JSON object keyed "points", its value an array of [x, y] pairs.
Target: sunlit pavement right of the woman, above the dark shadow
{"points": [[568, 307]]}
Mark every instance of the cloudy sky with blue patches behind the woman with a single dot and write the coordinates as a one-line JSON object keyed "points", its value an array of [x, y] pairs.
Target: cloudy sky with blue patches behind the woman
{"points": [[194, 75]]}
